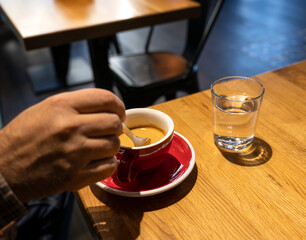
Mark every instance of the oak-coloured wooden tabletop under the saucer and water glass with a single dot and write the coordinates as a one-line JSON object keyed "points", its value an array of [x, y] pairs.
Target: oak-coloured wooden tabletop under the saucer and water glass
{"points": [[256, 195]]}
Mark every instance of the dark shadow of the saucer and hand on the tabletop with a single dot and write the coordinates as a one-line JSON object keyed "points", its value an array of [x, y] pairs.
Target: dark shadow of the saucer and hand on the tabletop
{"points": [[121, 216]]}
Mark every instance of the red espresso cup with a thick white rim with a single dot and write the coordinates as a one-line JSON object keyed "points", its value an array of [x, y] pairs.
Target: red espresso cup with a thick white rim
{"points": [[133, 161]]}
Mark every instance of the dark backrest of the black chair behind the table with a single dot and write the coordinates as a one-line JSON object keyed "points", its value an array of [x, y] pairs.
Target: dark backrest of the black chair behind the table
{"points": [[199, 30]]}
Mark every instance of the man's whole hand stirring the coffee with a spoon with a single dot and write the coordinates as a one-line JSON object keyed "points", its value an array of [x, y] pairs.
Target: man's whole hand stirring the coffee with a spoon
{"points": [[61, 144]]}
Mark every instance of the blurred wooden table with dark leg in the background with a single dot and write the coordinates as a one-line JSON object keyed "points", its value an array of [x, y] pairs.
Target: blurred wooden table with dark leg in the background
{"points": [[46, 23]]}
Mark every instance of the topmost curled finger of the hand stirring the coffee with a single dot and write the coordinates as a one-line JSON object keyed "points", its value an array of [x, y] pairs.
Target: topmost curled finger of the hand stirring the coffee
{"points": [[95, 100]]}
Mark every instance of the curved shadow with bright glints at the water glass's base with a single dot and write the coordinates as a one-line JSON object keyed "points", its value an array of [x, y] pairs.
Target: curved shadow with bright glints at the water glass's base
{"points": [[257, 154]]}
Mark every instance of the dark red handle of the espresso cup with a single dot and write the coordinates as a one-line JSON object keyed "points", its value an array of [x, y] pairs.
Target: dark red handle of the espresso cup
{"points": [[126, 171]]}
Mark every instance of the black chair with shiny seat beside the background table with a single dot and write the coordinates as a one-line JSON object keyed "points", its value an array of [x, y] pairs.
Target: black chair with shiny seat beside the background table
{"points": [[142, 78]]}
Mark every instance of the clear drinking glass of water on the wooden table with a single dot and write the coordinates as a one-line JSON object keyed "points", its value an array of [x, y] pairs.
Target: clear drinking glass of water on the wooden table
{"points": [[236, 103]]}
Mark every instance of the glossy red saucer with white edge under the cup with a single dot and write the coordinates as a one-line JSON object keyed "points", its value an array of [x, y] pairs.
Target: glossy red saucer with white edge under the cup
{"points": [[178, 164]]}
